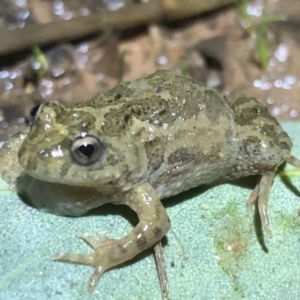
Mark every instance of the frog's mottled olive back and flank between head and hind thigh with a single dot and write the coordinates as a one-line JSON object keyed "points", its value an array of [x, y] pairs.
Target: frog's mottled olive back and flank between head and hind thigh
{"points": [[187, 129]]}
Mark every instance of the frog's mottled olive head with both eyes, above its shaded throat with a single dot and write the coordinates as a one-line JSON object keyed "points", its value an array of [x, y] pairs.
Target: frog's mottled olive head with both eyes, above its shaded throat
{"points": [[66, 145]]}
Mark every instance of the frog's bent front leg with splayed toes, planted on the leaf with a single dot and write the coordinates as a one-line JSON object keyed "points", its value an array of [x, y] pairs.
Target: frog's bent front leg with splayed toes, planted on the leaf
{"points": [[153, 225]]}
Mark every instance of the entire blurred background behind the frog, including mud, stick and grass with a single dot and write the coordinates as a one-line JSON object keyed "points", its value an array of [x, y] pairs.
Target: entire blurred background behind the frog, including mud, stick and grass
{"points": [[71, 50]]}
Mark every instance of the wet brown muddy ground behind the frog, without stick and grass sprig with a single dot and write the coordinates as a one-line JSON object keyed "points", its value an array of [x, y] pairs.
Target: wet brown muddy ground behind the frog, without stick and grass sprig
{"points": [[212, 47]]}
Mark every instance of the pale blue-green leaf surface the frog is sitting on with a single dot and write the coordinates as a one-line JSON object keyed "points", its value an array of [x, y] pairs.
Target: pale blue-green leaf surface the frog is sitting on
{"points": [[212, 251]]}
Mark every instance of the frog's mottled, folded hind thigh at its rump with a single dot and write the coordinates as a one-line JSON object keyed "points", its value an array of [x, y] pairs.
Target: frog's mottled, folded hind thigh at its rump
{"points": [[262, 142]]}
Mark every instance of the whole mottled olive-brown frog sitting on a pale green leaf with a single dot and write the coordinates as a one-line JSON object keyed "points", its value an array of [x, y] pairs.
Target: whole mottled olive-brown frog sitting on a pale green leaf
{"points": [[138, 143]]}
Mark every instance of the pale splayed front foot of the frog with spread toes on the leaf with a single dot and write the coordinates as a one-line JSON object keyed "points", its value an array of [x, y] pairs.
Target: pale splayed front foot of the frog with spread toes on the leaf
{"points": [[99, 259]]}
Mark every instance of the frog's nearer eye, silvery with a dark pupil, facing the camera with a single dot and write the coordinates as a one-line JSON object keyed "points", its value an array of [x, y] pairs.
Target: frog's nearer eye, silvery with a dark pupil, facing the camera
{"points": [[86, 150]]}
